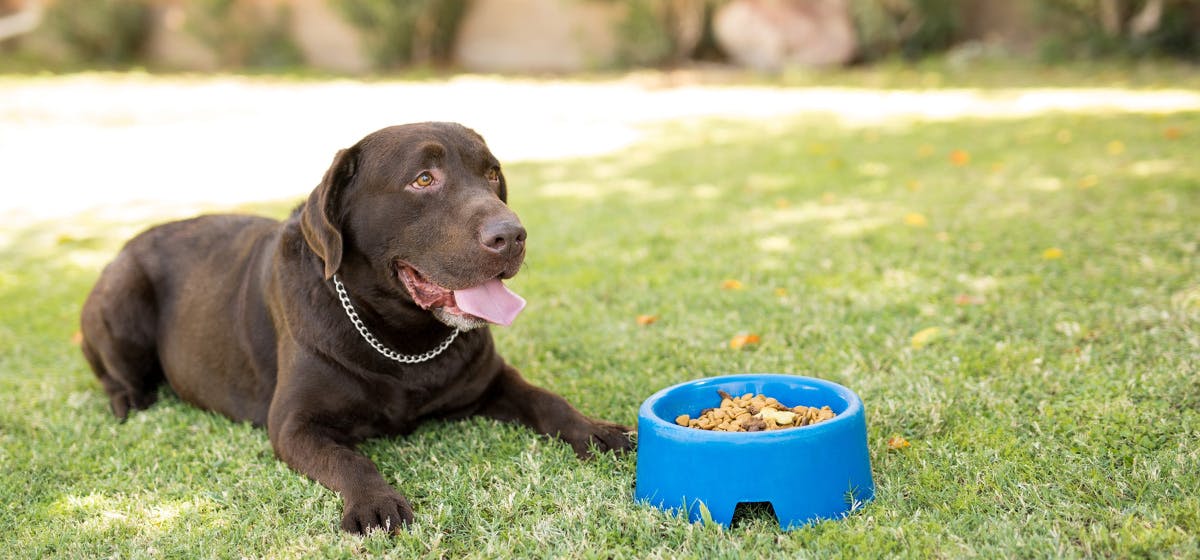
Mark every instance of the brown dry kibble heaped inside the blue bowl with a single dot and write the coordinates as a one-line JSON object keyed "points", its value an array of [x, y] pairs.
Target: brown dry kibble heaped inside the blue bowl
{"points": [[754, 413]]}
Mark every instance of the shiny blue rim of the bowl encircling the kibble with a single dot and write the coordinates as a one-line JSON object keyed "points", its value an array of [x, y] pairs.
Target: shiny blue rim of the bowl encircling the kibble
{"points": [[855, 410]]}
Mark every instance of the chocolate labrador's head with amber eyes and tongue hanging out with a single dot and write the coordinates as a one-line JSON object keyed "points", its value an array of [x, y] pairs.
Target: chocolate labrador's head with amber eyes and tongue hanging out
{"points": [[423, 206]]}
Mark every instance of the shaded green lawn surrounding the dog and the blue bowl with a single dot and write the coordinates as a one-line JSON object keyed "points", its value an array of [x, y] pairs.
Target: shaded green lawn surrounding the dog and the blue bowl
{"points": [[1055, 413]]}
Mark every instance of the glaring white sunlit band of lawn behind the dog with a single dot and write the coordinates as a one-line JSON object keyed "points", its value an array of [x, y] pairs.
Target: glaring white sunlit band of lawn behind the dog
{"points": [[103, 122]]}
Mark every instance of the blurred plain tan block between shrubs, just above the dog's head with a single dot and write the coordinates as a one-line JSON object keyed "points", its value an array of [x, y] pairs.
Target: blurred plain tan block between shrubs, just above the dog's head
{"points": [[538, 35]]}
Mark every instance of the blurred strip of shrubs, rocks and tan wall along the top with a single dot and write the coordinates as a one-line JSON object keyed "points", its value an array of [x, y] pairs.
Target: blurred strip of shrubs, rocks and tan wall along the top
{"points": [[559, 37]]}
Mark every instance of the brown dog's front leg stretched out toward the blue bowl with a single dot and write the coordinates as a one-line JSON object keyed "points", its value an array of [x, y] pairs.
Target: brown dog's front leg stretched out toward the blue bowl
{"points": [[513, 399]]}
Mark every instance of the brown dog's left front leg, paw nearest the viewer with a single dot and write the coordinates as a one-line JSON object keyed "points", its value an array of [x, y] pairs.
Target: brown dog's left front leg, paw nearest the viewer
{"points": [[311, 449]]}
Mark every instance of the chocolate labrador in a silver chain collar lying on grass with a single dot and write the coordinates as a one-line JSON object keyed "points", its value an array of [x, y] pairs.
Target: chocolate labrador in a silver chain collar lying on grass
{"points": [[363, 315]]}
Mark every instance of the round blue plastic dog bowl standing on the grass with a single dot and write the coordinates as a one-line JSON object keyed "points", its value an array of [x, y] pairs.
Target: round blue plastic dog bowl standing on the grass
{"points": [[820, 472]]}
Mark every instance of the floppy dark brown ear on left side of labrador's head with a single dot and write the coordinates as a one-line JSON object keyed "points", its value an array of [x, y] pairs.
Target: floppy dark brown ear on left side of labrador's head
{"points": [[320, 220]]}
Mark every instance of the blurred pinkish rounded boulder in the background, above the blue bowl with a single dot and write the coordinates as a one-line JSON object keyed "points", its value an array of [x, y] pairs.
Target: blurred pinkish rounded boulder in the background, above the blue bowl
{"points": [[770, 35]]}
